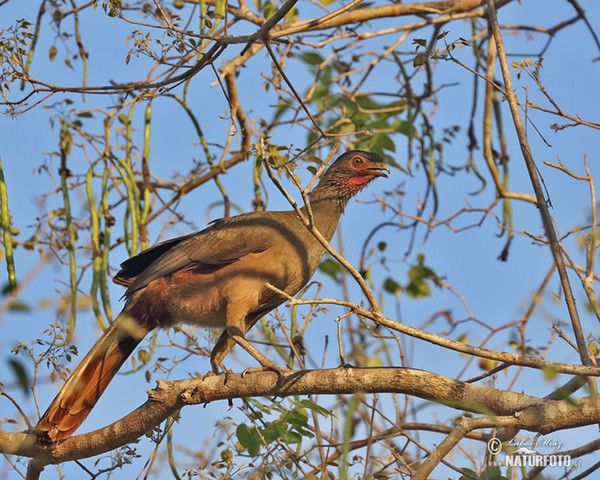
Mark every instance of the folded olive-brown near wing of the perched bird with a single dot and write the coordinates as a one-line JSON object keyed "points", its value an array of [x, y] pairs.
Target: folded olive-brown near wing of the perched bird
{"points": [[220, 244]]}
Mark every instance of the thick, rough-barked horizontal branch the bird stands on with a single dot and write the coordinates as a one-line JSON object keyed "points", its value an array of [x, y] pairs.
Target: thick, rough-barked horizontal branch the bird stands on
{"points": [[524, 411]]}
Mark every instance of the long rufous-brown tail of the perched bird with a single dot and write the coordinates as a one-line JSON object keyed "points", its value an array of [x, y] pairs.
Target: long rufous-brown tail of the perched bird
{"points": [[89, 380]]}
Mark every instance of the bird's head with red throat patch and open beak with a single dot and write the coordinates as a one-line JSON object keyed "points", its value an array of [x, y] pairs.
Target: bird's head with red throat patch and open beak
{"points": [[349, 174]]}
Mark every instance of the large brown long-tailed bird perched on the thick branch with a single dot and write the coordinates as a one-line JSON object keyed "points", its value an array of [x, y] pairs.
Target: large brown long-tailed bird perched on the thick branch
{"points": [[219, 278]]}
